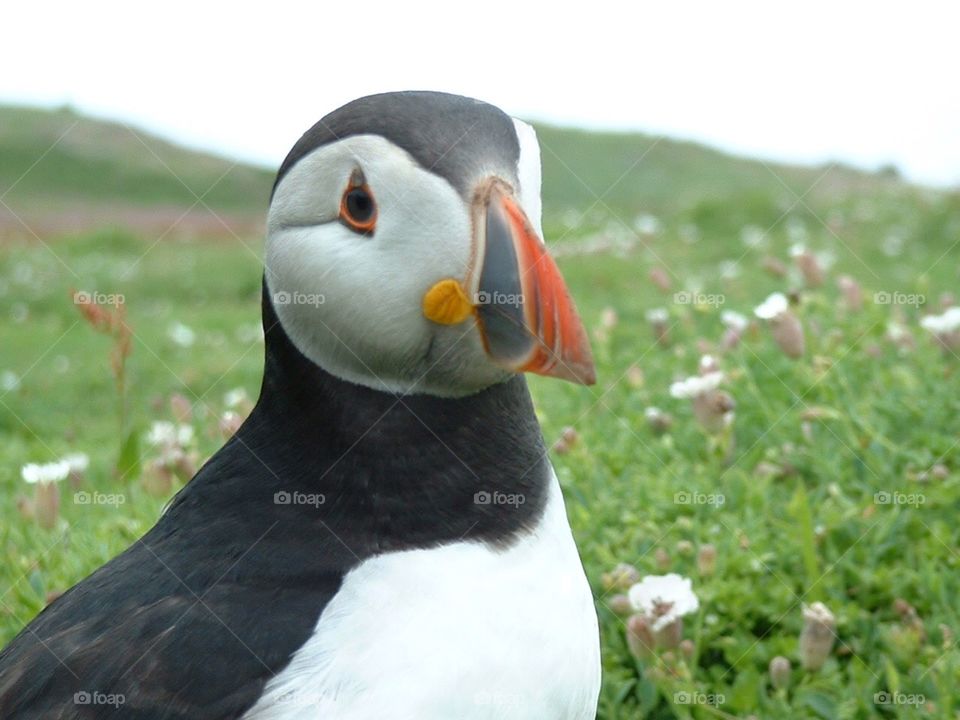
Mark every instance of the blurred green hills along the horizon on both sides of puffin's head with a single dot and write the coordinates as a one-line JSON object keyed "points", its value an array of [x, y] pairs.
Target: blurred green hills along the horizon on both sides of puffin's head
{"points": [[64, 173]]}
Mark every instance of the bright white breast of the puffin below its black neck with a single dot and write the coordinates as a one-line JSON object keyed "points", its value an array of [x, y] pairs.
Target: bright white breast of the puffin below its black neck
{"points": [[462, 631]]}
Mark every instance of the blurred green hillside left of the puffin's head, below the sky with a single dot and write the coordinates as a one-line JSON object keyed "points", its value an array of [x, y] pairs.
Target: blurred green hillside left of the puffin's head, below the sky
{"points": [[63, 173]]}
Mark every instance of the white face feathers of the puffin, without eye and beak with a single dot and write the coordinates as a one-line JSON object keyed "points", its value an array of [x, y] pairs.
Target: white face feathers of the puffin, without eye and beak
{"points": [[352, 302]]}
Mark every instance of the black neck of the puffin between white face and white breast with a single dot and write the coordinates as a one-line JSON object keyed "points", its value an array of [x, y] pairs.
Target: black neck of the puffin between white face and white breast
{"points": [[398, 471]]}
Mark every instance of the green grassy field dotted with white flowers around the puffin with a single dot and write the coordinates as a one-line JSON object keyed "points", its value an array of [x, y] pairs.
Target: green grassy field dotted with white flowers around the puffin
{"points": [[838, 480]]}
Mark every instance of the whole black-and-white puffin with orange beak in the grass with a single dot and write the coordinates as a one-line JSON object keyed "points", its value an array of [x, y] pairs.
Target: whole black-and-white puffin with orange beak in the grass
{"points": [[384, 536]]}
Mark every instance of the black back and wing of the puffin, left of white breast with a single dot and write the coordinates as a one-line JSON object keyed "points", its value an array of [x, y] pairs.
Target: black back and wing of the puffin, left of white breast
{"points": [[189, 622]]}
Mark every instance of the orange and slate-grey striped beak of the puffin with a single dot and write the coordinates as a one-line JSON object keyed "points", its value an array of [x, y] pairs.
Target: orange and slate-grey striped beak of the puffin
{"points": [[526, 316]]}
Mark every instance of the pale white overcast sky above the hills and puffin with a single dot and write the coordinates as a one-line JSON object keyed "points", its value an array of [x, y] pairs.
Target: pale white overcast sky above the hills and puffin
{"points": [[806, 81]]}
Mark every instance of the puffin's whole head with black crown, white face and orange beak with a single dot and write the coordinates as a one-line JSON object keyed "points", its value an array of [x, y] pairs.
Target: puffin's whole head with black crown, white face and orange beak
{"points": [[404, 250]]}
